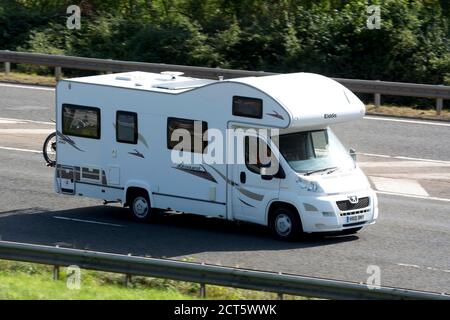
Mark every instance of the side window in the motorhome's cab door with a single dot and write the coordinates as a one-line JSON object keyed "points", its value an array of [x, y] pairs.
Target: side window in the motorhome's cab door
{"points": [[255, 155]]}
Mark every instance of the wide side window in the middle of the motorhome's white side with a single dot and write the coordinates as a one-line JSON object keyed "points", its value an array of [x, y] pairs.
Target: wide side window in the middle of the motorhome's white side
{"points": [[197, 143]]}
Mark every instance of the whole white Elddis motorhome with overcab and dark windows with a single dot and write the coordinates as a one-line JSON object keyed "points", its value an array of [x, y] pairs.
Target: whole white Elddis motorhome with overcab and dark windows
{"points": [[115, 143]]}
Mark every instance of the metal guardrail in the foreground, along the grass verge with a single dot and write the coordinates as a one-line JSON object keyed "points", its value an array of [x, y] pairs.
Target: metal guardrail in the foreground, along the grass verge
{"points": [[205, 274]]}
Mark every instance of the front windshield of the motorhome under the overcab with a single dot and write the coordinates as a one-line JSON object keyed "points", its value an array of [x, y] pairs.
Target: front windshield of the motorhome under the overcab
{"points": [[314, 152]]}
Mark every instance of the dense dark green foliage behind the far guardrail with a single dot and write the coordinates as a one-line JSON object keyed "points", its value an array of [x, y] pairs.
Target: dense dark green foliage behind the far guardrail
{"points": [[324, 36]]}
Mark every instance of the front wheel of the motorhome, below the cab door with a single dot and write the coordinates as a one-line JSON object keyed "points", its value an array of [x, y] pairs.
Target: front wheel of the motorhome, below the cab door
{"points": [[285, 224]]}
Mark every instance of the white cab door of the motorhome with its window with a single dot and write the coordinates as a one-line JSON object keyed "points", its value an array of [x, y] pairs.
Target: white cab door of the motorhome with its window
{"points": [[252, 191]]}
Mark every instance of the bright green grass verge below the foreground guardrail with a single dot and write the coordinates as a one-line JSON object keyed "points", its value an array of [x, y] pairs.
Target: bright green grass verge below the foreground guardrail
{"points": [[27, 281]]}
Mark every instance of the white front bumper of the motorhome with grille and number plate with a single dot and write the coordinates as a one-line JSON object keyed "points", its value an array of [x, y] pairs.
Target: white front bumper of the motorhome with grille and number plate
{"points": [[322, 214]]}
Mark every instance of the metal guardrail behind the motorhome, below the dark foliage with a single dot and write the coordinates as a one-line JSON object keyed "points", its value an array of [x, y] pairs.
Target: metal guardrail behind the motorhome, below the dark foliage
{"points": [[377, 88]]}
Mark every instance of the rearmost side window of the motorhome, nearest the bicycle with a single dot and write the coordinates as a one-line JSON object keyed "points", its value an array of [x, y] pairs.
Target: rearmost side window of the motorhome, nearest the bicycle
{"points": [[81, 121]]}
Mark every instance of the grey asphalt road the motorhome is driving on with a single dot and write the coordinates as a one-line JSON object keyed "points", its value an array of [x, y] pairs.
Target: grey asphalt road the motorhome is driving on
{"points": [[410, 242]]}
